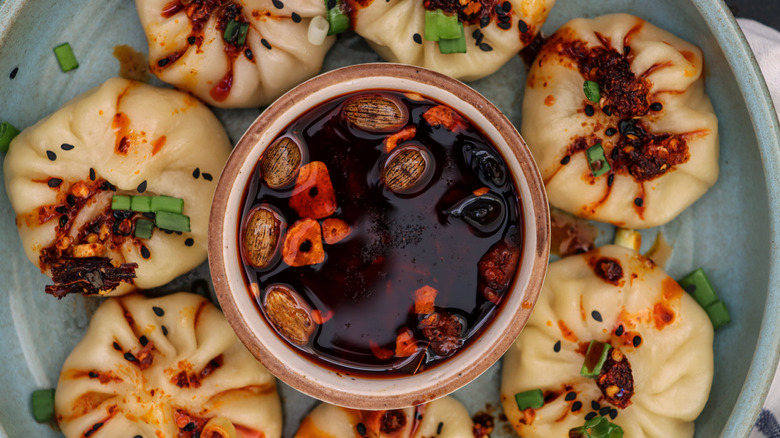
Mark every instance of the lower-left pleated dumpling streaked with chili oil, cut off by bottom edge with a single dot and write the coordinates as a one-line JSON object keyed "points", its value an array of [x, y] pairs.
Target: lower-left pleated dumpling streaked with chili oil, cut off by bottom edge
{"points": [[163, 367]]}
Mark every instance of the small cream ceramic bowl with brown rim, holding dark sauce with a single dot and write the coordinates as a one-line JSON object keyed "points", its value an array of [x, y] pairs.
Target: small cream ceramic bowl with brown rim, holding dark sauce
{"points": [[327, 384]]}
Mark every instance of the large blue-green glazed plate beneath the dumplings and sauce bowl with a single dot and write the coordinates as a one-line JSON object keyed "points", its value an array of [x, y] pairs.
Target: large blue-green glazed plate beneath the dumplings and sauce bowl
{"points": [[732, 231]]}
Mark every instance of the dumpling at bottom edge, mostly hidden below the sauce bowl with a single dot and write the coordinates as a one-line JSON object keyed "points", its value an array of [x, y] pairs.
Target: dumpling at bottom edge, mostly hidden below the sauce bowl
{"points": [[445, 418]]}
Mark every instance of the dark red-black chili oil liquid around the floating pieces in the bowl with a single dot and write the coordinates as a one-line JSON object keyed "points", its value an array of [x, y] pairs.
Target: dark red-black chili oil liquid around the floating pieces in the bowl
{"points": [[398, 243]]}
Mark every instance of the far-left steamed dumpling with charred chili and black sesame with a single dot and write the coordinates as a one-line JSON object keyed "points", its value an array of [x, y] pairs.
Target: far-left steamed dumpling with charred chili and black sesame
{"points": [[122, 137]]}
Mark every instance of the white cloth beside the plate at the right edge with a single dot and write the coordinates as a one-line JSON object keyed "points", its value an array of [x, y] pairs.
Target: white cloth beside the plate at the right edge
{"points": [[765, 43]]}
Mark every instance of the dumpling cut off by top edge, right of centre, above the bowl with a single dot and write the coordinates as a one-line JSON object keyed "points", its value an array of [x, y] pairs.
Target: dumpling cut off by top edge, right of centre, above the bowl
{"points": [[396, 30]]}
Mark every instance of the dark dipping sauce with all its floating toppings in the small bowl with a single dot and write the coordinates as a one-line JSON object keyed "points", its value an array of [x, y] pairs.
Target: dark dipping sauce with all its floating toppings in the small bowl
{"points": [[380, 233]]}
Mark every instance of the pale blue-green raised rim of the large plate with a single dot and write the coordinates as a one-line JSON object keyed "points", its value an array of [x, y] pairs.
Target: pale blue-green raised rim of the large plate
{"points": [[755, 92]]}
